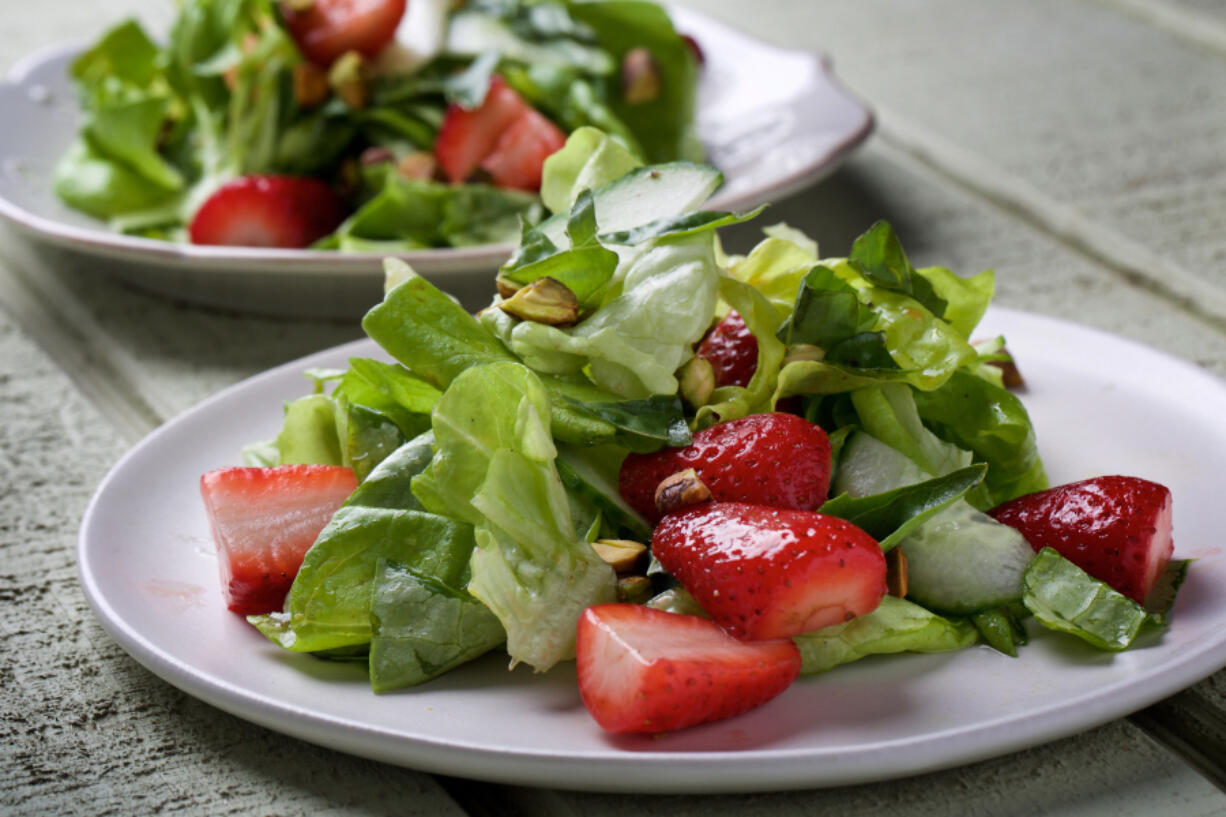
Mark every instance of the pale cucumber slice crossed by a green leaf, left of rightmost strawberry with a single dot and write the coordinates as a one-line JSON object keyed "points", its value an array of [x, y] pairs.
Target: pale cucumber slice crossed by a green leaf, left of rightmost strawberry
{"points": [[962, 561]]}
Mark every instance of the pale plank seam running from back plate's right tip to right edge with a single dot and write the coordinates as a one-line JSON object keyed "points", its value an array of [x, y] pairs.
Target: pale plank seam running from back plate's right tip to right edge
{"points": [[1131, 261]]}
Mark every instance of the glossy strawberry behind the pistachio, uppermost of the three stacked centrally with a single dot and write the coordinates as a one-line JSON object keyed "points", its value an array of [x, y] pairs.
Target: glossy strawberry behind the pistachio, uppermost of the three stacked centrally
{"points": [[774, 459]]}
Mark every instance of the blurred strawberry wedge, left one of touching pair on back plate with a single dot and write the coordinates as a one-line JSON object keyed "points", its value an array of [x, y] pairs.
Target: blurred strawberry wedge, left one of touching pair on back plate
{"points": [[466, 138]]}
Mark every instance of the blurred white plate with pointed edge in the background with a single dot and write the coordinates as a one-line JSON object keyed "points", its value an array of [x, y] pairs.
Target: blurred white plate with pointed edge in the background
{"points": [[773, 121]]}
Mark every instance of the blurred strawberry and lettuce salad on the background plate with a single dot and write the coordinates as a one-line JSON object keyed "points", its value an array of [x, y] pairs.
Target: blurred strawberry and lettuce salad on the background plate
{"points": [[307, 123]]}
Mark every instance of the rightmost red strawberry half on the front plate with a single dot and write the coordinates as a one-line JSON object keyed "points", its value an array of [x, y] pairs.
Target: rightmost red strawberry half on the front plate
{"points": [[1115, 528]]}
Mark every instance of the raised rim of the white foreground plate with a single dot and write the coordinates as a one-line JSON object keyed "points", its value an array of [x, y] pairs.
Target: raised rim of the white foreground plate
{"points": [[701, 772]]}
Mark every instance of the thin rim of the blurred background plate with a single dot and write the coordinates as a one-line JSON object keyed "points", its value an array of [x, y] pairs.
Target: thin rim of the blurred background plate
{"points": [[97, 240]]}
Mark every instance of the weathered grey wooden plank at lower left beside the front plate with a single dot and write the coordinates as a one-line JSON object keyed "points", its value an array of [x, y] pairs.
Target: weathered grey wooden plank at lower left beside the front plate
{"points": [[84, 729]]}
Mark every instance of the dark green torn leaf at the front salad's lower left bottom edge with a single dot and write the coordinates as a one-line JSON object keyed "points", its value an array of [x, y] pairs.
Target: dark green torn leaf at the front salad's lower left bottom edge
{"points": [[422, 627]]}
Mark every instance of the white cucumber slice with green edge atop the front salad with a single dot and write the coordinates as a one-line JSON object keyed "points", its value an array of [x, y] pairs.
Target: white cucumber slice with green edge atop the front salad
{"points": [[642, 197]]}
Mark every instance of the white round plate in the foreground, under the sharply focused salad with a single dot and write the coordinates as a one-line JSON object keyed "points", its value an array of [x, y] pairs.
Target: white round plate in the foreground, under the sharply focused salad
{"points": [[149, 571]]}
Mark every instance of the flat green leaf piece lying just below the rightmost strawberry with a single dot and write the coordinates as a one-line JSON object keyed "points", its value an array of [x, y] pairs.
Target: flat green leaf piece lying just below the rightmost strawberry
{"points": [[1065, 598]]}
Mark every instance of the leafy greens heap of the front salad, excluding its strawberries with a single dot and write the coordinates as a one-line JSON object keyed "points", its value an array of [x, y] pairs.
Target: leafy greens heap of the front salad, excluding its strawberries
{"points": [[487, 456]]}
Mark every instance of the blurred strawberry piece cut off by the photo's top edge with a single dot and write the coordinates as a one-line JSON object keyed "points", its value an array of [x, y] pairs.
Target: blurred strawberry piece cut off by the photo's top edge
{"points": [[328, 29]]}
